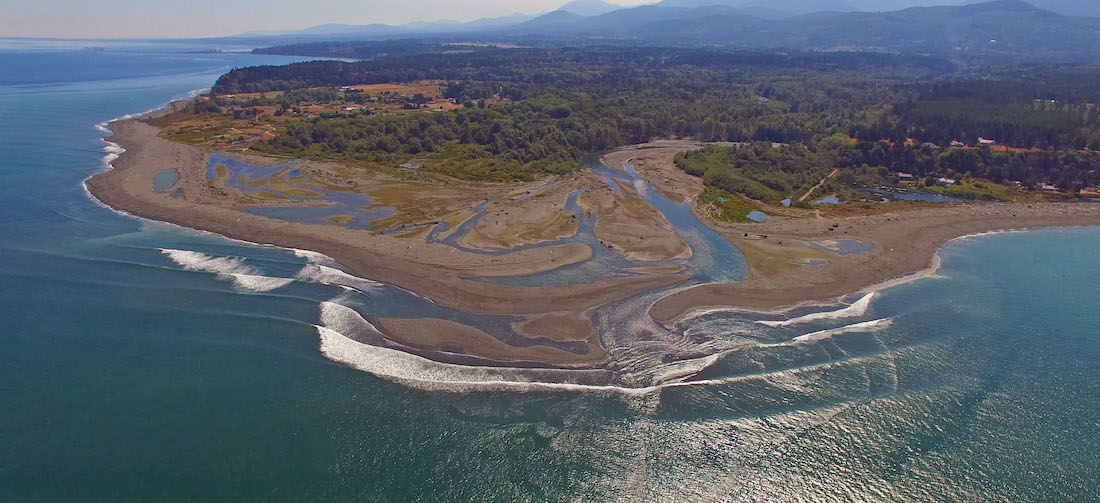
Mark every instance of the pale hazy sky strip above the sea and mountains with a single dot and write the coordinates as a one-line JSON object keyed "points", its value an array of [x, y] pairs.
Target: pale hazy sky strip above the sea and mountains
{"points": [[210, 18]]}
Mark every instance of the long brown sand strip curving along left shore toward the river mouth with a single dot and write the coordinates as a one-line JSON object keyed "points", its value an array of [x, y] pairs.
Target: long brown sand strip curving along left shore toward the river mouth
{"points": [[432, 270]]}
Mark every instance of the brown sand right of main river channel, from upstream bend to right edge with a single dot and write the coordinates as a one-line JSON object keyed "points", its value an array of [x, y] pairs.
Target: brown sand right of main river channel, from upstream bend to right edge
{"points": [[907, 242]]}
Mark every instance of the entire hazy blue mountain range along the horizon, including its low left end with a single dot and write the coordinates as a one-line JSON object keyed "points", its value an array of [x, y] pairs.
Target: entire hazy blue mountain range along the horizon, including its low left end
{"points": [[993, 30]]}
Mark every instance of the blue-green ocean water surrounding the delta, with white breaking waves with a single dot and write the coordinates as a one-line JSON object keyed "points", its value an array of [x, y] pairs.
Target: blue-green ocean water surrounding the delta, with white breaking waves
{"points": [[140, 362]]}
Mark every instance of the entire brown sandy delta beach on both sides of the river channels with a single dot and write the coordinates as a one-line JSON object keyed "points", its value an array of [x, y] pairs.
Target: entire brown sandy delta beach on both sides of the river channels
{"points": [[905, 242]]}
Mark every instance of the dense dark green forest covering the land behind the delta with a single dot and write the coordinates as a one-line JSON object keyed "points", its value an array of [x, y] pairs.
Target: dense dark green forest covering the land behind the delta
{"points": [[558, 105]]}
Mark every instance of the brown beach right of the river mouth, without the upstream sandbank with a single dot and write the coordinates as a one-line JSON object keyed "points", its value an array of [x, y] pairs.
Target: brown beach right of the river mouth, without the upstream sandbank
{"points": [[906, 243]]}
